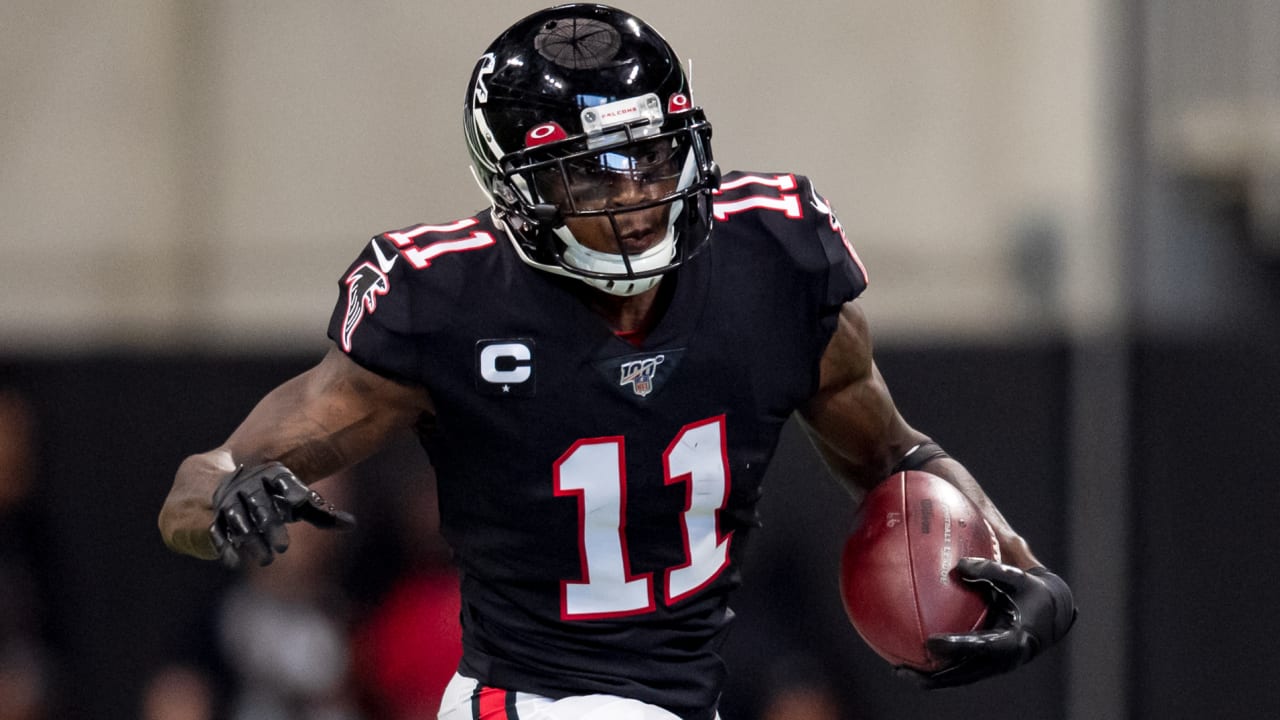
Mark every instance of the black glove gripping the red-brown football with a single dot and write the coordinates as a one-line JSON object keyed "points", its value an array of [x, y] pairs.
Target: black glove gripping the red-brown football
{"points": [[1031, 612]]}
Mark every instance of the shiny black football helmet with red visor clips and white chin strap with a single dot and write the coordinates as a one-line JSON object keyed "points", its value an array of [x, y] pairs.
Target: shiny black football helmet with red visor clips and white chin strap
{"points": [[584, 112]]}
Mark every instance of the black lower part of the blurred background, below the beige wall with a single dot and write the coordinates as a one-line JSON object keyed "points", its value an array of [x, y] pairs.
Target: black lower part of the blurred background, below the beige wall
{"points": [[1204, 546]]}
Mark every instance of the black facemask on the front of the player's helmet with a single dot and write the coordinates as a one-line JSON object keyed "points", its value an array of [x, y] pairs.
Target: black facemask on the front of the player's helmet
{"points": [[625, 192]]}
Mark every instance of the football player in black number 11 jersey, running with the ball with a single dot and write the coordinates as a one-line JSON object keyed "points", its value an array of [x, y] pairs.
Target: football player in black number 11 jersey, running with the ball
{"points": [[598, 366]]}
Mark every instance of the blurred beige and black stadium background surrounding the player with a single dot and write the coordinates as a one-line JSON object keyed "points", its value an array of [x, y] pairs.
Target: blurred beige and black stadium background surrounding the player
{"points": [[1071, 213]]}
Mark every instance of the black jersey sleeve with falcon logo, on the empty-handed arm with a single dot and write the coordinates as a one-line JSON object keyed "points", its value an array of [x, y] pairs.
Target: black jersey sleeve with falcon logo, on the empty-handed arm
{"points": [[373, 320]]}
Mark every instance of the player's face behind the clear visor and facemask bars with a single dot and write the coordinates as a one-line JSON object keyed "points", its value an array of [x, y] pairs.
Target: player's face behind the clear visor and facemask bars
{"points": [[612, 181]]}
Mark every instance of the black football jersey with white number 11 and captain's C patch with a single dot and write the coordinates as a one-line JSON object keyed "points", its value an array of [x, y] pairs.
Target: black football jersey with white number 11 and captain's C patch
{"points": [[598, 495]]}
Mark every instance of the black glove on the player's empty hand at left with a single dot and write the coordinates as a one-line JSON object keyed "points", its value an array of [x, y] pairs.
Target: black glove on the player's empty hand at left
{"points": [[253, 505]]}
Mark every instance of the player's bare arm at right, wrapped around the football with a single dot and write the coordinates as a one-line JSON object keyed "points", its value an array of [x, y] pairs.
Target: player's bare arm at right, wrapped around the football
{"points": [[863, 438]]}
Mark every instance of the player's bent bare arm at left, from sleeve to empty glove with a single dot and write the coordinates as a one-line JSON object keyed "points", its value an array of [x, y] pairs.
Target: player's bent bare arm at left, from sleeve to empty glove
{"points": [[316, 425]]}
